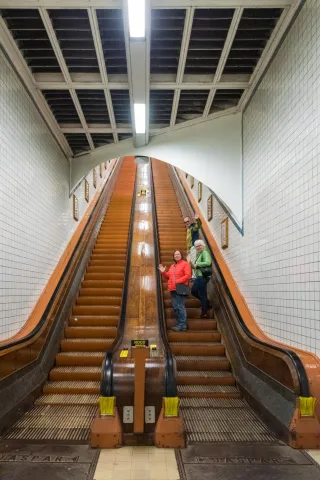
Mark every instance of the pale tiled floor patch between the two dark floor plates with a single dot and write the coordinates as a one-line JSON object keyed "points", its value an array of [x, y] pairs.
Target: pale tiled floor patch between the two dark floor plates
{"points": [[137, 463]]}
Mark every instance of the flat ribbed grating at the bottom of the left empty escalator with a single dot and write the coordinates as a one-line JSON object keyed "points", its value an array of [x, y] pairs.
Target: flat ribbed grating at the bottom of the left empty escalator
{"points": [[54, 422]]}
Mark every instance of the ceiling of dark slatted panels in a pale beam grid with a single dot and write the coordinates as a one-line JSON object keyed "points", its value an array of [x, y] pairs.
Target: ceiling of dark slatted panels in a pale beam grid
{"points": [[205, 58]]}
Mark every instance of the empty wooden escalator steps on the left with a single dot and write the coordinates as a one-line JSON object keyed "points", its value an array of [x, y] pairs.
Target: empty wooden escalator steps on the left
{"points": [[69, 399]]}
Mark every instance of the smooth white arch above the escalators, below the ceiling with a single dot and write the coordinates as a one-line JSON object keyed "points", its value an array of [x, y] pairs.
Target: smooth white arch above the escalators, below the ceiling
{"points": [[210, 151]]}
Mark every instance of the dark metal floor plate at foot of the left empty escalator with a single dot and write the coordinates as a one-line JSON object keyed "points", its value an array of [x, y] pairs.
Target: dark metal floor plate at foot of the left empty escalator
{"points": [[51, 462]]}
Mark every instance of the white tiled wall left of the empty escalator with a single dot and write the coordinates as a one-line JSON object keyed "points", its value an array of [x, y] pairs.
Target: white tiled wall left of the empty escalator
{"points": [[36, 216]]}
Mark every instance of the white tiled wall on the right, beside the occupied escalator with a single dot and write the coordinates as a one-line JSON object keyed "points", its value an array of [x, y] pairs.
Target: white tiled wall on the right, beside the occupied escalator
{"points": [[276, 263]]}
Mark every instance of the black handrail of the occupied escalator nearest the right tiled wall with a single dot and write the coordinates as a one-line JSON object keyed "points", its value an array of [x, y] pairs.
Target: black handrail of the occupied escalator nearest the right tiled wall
{"points": [[295, 359]]}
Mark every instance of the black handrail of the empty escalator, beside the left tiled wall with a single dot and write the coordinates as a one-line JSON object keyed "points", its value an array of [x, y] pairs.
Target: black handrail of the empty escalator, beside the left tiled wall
{"points": [[44, 316]]}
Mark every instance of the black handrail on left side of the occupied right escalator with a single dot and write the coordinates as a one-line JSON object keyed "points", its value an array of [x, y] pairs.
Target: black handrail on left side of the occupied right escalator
{"points": [[170, 377]]}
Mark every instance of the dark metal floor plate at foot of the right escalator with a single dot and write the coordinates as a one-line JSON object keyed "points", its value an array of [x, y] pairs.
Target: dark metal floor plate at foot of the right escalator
{"points": [[245, 462]]}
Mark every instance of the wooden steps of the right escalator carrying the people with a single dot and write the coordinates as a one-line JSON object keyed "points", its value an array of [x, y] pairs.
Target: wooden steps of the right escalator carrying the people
{"points": [[211, 404]]}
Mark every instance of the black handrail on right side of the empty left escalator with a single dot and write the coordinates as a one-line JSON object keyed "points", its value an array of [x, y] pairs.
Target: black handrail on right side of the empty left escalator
{"points": [[106, 384]]}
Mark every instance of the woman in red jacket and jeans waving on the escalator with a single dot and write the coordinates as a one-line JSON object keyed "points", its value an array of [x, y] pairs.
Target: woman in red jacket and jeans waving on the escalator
{"points": [[179, 272]]}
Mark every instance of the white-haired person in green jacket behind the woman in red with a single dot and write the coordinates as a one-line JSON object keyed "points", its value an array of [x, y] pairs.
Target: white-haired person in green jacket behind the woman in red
{"points": [[199, 287]]}
